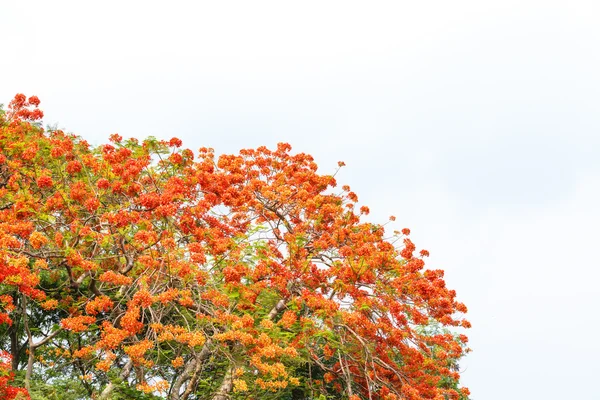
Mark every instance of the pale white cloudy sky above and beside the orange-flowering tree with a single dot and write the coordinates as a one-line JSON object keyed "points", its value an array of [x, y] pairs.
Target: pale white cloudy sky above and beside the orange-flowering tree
{"points": [[475, 123]]}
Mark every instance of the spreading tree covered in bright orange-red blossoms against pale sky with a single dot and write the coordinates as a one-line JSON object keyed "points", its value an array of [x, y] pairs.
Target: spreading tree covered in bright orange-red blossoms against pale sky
{"points": [[139, 270]]}
